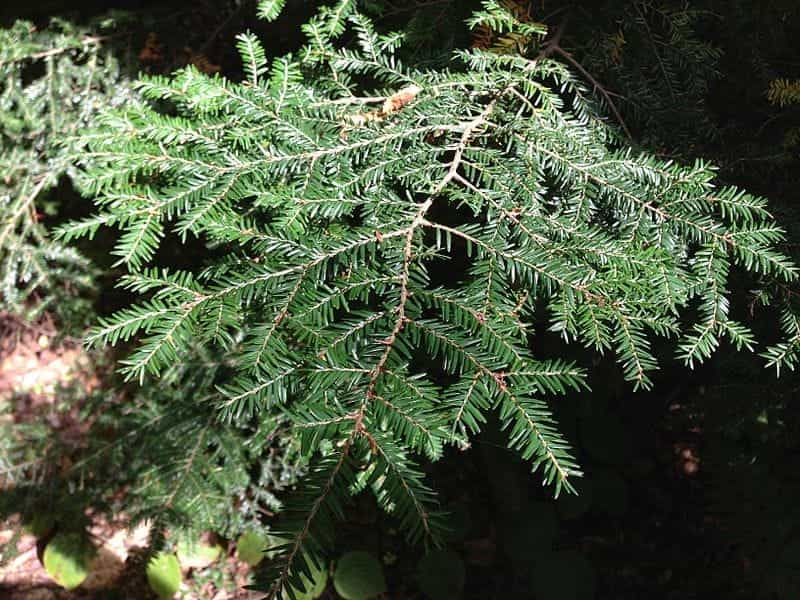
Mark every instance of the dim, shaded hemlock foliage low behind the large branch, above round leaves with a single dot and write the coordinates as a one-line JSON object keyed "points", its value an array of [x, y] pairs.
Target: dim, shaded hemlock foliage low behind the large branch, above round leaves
{"points": [[163, 445]]}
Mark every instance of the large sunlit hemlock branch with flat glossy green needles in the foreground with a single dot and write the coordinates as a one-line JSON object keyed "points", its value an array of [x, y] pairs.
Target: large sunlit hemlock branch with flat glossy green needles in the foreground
{"points": [[332, 186]]}
